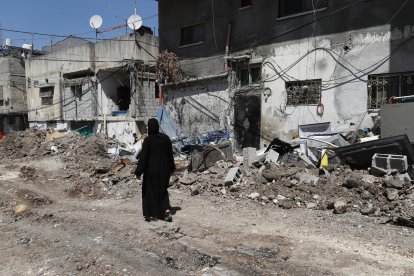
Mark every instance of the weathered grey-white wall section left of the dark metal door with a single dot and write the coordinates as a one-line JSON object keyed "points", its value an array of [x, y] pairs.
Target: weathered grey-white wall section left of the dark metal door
{"points": [[200, 107]]}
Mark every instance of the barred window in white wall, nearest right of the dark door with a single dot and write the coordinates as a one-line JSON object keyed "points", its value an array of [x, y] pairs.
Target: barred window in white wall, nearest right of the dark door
{"points": [[303, 92]]}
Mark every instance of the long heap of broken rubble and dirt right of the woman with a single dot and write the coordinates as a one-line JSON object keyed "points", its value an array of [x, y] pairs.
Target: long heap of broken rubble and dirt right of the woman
{"points": [[287, 186]]}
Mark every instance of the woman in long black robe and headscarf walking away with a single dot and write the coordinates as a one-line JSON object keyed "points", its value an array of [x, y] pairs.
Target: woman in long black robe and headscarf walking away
{"points": [[156, 162]]}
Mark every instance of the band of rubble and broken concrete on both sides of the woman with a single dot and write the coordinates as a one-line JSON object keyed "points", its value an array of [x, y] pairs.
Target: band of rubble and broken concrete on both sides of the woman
{"points": [[89, 171]]}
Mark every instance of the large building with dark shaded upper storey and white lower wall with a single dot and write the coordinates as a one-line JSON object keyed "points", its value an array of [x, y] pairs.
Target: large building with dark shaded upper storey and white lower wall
{"points": [[298, 63]]}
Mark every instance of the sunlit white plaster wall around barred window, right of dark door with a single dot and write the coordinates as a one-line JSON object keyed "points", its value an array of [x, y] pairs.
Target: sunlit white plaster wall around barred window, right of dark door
{"points": [[345, 97]]}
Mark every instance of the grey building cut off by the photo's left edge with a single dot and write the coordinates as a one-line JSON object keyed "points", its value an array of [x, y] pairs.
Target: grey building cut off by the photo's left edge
{"points": [[13, 107]]}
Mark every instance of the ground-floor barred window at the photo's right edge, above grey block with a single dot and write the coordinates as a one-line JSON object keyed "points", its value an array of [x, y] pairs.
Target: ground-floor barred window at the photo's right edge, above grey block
{"points": [[382, 87]]}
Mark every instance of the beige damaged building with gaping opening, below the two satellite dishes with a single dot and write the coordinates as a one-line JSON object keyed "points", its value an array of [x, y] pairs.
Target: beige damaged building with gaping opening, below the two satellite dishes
{"points": [[104, 87]]}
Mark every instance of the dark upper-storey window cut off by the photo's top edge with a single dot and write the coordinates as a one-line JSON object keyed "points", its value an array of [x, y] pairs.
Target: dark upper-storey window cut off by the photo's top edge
{"points": [[292, 7]]}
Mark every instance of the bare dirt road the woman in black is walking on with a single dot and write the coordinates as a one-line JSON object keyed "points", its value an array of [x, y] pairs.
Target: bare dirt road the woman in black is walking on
{"points": [[60, 234]]}
